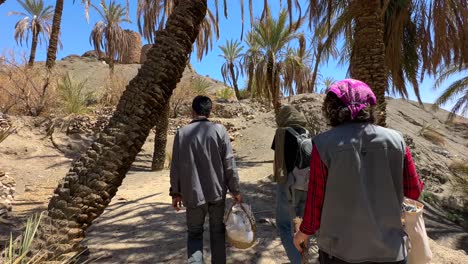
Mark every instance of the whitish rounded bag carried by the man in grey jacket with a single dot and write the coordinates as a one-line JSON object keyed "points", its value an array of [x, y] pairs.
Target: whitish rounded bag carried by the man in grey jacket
{"points": [[240, 226]]}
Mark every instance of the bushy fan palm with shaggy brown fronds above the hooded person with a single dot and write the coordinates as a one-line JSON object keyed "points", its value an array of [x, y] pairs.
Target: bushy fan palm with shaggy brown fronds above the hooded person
{"points": [[269, 53]]}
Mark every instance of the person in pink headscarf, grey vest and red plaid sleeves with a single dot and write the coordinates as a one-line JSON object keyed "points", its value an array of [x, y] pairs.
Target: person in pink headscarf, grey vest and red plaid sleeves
{"points": [[359, 175]]}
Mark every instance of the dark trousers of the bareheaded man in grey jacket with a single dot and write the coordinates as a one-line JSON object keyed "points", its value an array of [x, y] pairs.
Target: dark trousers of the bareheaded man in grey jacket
{"points": [[195, 221]]}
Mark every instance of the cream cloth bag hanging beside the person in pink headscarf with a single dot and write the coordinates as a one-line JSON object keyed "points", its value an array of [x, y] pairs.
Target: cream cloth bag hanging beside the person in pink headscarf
{"points": [[419, 251]]}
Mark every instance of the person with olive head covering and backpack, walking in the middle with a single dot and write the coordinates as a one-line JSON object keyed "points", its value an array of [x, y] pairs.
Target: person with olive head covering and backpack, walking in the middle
{"points": [[291, 188]]}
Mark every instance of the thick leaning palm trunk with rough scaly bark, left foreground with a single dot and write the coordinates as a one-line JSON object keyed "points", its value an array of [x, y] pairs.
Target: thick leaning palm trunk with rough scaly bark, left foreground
{"points": [[94, 178]]}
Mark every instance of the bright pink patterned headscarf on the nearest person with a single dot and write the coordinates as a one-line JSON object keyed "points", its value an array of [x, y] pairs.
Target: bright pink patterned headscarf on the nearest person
{"points": [[356, 95]]}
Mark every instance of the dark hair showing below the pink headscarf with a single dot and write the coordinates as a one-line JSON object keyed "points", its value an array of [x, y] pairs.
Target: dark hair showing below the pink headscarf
{"points": [[338, 113]]}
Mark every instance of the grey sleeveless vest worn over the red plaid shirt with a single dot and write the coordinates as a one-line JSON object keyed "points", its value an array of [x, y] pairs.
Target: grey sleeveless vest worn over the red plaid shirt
{"points": [[361, 214]]}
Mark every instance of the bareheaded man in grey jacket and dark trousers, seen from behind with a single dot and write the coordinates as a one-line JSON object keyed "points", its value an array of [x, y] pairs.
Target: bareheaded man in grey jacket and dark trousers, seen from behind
{"points": [[203, 169]]}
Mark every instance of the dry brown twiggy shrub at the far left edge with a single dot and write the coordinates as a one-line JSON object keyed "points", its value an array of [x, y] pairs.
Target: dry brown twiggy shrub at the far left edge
{"points": [[25, 90]]}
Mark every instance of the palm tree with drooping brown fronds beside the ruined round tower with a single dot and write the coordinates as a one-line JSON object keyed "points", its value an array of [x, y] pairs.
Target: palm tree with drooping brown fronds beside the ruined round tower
{"points": [[107, 33]]}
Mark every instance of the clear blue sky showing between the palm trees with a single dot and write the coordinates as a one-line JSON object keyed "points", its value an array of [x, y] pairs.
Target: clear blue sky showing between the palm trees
{"points": [[75, 39]]}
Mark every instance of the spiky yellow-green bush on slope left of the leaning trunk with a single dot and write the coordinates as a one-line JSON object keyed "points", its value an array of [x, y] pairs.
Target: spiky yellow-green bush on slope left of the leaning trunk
{"points": [[73, 96]]}
